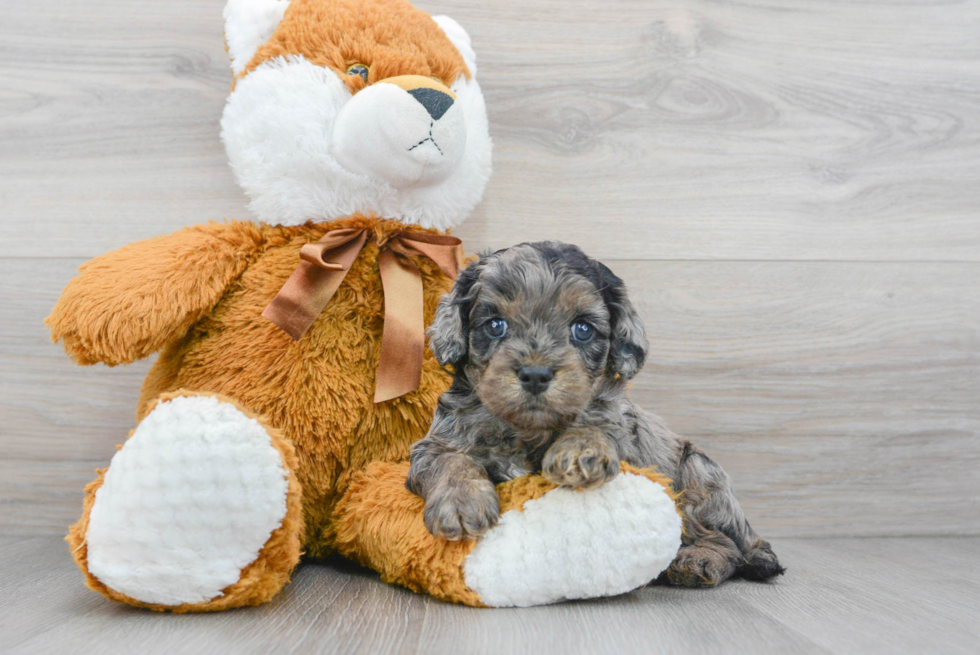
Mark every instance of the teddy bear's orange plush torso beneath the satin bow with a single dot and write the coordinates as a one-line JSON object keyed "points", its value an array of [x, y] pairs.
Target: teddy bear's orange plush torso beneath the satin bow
{"points": [[318, 391]]}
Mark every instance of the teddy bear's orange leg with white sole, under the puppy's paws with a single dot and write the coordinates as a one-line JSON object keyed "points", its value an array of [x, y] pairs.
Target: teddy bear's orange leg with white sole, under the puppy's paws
{"points": [[550, 544]]}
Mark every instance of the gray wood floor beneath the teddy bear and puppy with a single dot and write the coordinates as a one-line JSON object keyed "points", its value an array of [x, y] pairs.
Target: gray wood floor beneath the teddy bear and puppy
{"points": [[839, 596]]}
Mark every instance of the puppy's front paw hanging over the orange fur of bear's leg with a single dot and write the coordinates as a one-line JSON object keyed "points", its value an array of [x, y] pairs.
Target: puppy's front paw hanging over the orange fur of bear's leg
{"points": [[465, 510]]}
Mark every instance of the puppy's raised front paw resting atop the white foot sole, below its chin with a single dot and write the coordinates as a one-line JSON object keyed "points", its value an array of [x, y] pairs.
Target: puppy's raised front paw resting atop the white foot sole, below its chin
{"points": [[581, 459]]}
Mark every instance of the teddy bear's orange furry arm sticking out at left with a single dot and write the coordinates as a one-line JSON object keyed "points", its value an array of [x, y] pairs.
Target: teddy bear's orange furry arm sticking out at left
{"points": [[129, 303]]}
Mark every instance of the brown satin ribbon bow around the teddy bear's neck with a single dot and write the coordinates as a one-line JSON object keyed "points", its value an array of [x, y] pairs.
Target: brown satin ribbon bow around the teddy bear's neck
{"points": [[324, 267]]}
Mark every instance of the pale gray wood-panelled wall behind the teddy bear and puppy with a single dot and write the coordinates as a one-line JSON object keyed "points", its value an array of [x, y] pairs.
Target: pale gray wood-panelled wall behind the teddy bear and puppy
{"points": [[791, 188]]}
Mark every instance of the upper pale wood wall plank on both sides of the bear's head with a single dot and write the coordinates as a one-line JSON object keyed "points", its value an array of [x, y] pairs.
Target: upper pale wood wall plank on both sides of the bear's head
{"points": [[739, 130]]}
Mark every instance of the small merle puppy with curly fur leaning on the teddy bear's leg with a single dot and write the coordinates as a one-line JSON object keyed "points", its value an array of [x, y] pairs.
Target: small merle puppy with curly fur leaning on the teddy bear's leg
{"points": [[542, 340]]}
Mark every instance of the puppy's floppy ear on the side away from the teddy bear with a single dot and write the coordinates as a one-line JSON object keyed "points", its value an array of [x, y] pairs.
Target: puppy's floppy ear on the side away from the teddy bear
{"points": [[628, 347]]}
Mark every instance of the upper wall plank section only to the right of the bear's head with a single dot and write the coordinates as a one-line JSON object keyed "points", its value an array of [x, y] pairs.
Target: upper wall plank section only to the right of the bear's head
{"points": [[736, 130]]}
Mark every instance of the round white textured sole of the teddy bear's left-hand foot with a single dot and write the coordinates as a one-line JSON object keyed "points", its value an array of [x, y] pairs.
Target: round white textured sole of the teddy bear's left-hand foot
{"points": [[188, 502]]}
